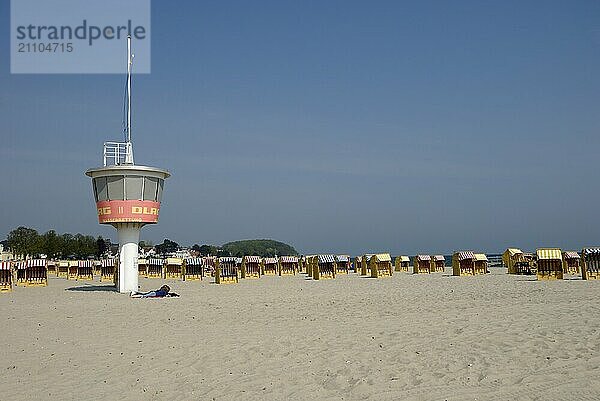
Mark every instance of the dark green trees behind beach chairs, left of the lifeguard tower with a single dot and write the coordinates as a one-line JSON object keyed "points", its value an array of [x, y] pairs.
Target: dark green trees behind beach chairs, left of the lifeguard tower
{"points": [[25, 241]]}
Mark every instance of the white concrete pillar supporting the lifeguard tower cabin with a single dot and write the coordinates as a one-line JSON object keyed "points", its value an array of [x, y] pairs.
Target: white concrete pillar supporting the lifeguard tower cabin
{"points": [[129, 237]]}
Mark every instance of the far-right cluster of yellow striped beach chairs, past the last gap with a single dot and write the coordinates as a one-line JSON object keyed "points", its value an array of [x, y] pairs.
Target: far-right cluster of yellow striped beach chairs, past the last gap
{"points": [[553, 263]]}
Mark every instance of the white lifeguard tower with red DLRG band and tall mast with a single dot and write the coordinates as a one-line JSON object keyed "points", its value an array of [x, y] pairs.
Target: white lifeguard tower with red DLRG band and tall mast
{"points": [[127, 195]]}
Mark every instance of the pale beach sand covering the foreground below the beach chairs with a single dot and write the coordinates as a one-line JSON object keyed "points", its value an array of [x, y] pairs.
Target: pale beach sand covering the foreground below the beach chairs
{"points": [[415, 337]]}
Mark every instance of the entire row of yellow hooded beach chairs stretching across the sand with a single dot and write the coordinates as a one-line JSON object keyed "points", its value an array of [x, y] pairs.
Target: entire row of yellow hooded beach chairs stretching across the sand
{"points": [[546, 263]]}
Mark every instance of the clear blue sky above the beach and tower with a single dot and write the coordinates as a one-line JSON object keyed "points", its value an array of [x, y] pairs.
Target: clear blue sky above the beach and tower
{"points": [[338, 126]]}
